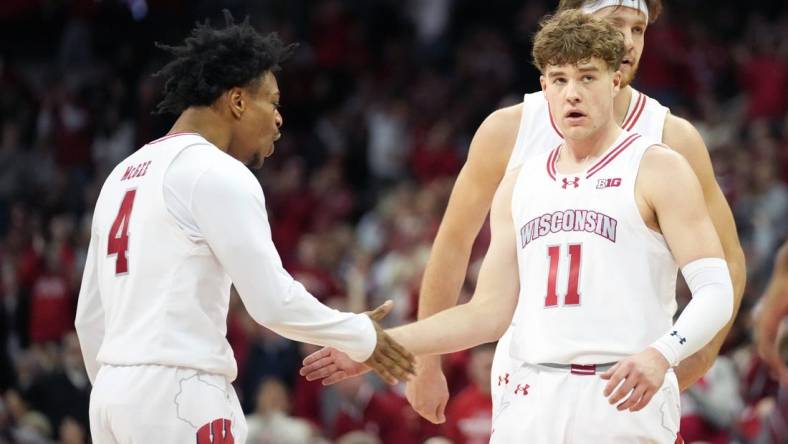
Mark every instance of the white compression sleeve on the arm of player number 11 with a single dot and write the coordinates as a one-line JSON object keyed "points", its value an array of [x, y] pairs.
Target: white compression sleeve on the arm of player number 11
{"points": [[709, 310]]}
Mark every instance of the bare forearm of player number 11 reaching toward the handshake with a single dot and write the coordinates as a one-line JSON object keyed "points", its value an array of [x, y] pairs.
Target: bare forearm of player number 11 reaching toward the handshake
{"points": [[458, 328]]}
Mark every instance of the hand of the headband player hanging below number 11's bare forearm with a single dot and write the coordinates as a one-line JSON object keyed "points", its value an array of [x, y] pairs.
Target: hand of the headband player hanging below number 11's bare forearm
{"points": [[427, 392]]}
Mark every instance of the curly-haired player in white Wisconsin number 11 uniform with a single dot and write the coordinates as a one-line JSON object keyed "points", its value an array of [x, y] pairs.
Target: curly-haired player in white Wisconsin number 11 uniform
{"points": [[586, 239]]}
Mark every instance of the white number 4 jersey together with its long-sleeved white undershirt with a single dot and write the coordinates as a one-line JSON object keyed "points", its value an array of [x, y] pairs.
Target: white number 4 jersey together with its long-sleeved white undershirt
{"points": [[176, 223]]}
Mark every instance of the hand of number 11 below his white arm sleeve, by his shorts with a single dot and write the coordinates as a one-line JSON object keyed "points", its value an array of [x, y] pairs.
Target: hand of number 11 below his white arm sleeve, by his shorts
{"points": [[640, 376]]}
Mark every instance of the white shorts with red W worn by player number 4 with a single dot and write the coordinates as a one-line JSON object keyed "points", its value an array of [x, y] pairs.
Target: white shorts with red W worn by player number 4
{"points": [[143, 404]]}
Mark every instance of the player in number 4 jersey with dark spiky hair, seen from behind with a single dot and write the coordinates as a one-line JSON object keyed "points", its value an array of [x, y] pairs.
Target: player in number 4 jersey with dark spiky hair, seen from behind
{"points": [[175, 224]]}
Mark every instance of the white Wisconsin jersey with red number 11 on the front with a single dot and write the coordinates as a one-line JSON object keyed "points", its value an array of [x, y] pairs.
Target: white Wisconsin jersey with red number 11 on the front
{"points": [[596, 284]]}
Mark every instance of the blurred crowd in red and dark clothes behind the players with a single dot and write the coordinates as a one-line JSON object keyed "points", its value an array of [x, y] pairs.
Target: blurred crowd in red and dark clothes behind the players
{"points": [[379, 104]]}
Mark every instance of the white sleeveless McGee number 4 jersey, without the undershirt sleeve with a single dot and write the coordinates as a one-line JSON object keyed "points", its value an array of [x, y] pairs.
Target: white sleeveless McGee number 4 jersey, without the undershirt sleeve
{"points": [[165, 297]]}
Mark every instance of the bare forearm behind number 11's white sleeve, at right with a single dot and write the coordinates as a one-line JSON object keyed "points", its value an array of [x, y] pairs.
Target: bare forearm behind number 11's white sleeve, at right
{"points": [[690, 370]]}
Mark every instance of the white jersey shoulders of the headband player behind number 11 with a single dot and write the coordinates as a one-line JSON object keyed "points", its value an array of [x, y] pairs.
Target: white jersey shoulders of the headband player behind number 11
{"points": [[539, 133]]}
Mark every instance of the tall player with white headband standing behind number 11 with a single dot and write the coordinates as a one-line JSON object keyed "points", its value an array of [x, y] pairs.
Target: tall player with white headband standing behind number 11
{"points": [[503, 142]]}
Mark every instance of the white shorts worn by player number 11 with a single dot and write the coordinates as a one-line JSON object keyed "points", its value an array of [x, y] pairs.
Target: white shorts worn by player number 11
{"points": [[546, 405]]}
